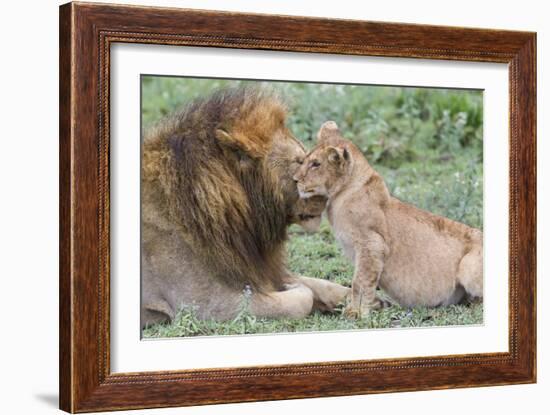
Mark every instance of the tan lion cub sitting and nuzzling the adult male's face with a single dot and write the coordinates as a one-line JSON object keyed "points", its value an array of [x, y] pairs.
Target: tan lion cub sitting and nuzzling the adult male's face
{"points": [[417, 257]]}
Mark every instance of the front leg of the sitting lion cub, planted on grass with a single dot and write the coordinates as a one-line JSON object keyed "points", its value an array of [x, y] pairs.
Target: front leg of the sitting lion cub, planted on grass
{"points": [[369, 264]]}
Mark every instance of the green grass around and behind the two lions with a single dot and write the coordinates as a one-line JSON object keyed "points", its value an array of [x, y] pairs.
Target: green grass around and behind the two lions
{"points": [[426, 143]]}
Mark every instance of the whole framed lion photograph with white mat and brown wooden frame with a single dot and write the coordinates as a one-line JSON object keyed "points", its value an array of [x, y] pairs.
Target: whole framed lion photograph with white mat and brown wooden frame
{"points": [[258, 207]]}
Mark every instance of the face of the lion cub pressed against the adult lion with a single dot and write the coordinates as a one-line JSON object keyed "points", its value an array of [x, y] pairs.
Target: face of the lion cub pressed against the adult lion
{"points": [[321, 170]]}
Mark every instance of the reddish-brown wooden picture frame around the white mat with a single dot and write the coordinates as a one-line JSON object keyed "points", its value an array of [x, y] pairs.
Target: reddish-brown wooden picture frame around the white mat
{"points": [[86, 33]]}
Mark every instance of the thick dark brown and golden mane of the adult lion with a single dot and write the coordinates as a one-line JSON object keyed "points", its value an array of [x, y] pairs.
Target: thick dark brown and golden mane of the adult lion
{"points": [[222, 195]]}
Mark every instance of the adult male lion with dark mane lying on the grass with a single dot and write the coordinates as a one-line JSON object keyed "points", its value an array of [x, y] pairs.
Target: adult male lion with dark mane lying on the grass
{"points": [[217, 197]]}
